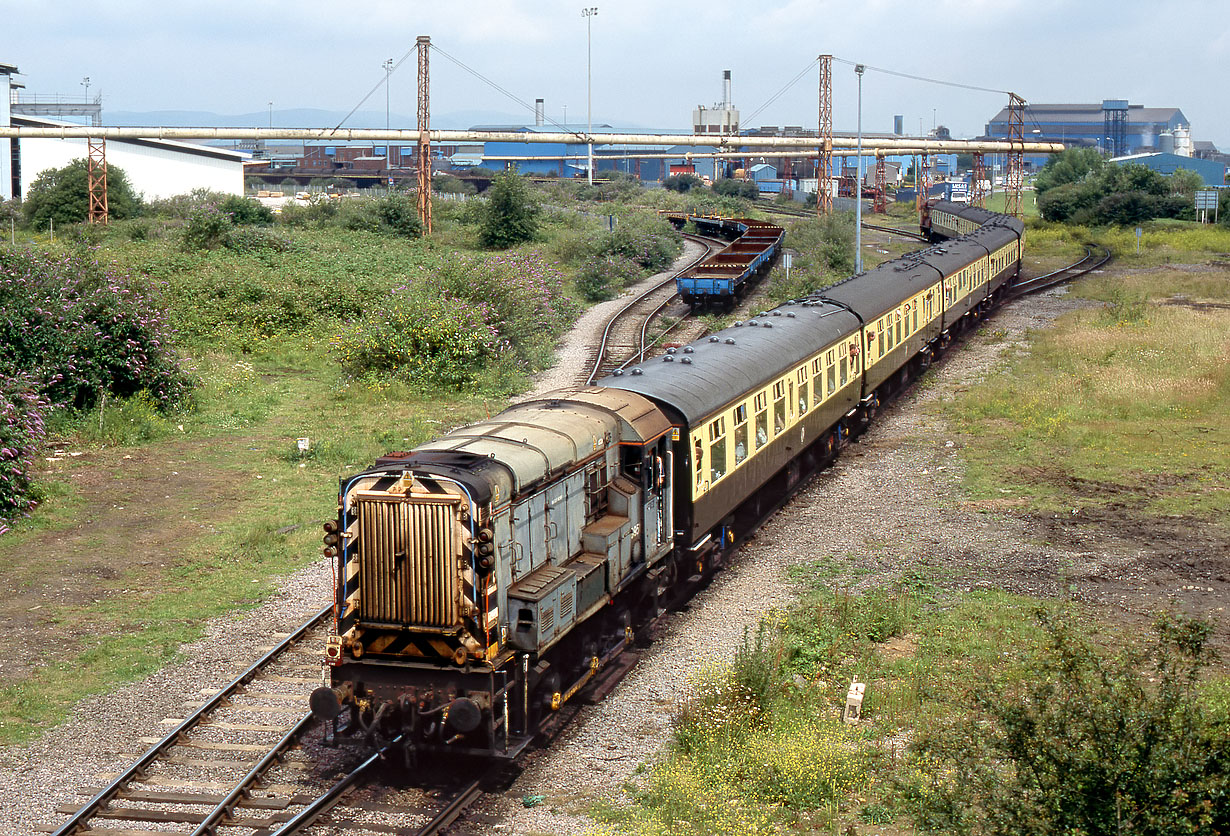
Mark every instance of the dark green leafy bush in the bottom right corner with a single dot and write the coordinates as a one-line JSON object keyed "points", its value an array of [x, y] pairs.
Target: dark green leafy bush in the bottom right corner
{"points": [[1087, 744]]}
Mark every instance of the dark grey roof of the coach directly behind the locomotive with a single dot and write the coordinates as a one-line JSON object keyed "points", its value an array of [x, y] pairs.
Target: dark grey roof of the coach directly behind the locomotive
{"points": [[700, 379]]}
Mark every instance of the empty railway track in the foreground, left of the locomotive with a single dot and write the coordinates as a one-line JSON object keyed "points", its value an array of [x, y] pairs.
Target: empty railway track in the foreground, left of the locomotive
{"points": [[227, 765]]}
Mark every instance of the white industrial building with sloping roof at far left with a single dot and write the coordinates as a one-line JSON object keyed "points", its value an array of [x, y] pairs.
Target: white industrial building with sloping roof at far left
{"points": [[156, 168]]}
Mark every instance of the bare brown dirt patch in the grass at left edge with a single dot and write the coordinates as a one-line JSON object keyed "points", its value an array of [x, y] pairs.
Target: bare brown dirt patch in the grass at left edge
{"points": [[133, 511]]}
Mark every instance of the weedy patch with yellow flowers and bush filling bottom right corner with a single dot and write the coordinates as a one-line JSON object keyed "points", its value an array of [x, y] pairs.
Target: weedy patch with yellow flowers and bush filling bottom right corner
{"points": [[1067, 737]]}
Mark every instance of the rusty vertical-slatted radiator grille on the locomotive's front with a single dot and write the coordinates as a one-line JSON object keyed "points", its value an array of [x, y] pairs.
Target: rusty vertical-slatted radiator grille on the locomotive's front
{"points": [[409, 574]]}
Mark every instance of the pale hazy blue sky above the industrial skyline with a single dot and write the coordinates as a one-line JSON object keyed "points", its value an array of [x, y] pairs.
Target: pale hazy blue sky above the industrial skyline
{"points": [[653, 62]]}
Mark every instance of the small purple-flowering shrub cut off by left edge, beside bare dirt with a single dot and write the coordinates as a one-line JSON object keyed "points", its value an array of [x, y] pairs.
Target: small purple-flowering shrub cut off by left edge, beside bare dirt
{"points": [[22, 430]]}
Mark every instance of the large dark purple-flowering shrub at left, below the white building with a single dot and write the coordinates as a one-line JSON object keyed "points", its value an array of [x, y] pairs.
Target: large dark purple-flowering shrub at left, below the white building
{"points": [[79, 330]]}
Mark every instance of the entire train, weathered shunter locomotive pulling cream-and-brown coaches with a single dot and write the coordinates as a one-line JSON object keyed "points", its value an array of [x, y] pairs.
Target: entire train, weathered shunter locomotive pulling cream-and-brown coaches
{"points": [[485, 578]]}
